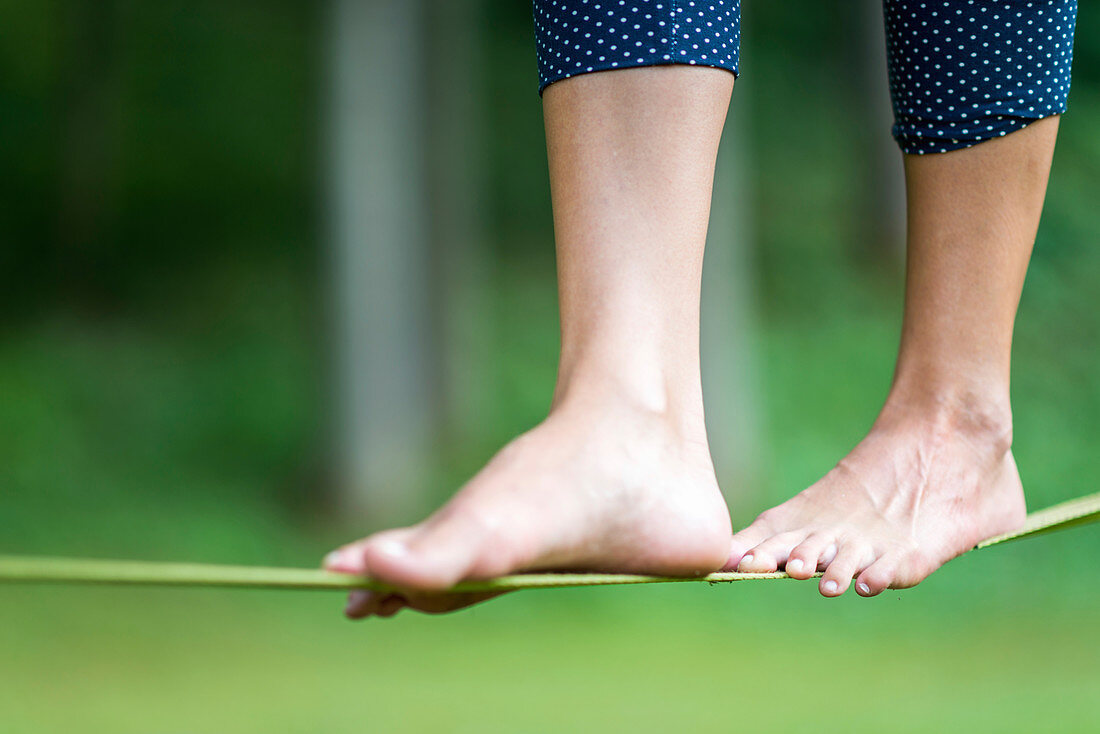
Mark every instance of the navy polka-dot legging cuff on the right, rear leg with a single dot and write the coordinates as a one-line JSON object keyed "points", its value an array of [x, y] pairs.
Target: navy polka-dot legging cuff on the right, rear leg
{"points": [[966, 71]]}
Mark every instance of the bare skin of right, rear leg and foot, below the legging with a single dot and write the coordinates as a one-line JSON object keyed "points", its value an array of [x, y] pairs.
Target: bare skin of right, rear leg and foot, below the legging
{"points": [[936, 476]]}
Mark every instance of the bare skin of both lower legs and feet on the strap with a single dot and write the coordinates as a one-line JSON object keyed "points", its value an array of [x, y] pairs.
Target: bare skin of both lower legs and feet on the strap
{"points": [[619, 477]]}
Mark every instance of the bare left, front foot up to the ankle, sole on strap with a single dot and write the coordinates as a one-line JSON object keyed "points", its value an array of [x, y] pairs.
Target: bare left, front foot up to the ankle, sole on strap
{"points": [[595, 488]]}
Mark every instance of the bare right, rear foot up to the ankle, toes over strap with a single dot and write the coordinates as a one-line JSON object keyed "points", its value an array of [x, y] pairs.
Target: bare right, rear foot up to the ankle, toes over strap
{"points": [[912, 496]]}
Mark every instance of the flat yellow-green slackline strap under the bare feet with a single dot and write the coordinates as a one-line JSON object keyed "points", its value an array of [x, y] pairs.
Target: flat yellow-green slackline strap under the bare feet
{"points": [[28, 569]]}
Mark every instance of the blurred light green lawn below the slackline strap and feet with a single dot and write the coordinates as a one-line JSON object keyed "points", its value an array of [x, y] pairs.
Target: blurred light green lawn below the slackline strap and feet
{"points": [[989, 644]]}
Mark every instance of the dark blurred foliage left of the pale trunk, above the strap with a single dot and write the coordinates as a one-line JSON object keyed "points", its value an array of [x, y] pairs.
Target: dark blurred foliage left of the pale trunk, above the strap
{"points": [[159, 306]]}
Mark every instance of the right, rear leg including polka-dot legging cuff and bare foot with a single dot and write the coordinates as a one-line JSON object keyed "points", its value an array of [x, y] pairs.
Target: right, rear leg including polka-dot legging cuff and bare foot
{"points": [[936, 476]]}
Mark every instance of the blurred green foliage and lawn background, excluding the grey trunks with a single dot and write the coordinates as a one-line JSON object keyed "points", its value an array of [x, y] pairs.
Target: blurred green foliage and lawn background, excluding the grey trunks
{"points": [[169, 391]]}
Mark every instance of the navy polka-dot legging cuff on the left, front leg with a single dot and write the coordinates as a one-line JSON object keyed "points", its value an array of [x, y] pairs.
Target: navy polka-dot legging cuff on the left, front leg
{"points": [[577, 37]]}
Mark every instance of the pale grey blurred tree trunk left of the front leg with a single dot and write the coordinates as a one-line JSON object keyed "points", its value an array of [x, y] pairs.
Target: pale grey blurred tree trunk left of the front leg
{"points": [[380, 256]]}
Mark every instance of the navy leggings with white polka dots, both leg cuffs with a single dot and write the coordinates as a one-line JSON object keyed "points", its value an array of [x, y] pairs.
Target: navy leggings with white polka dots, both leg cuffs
{"points": [[961, 71]]}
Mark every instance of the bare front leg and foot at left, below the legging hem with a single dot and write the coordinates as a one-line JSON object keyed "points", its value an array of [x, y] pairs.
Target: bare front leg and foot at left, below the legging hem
{"points": [[619, 477]]}
